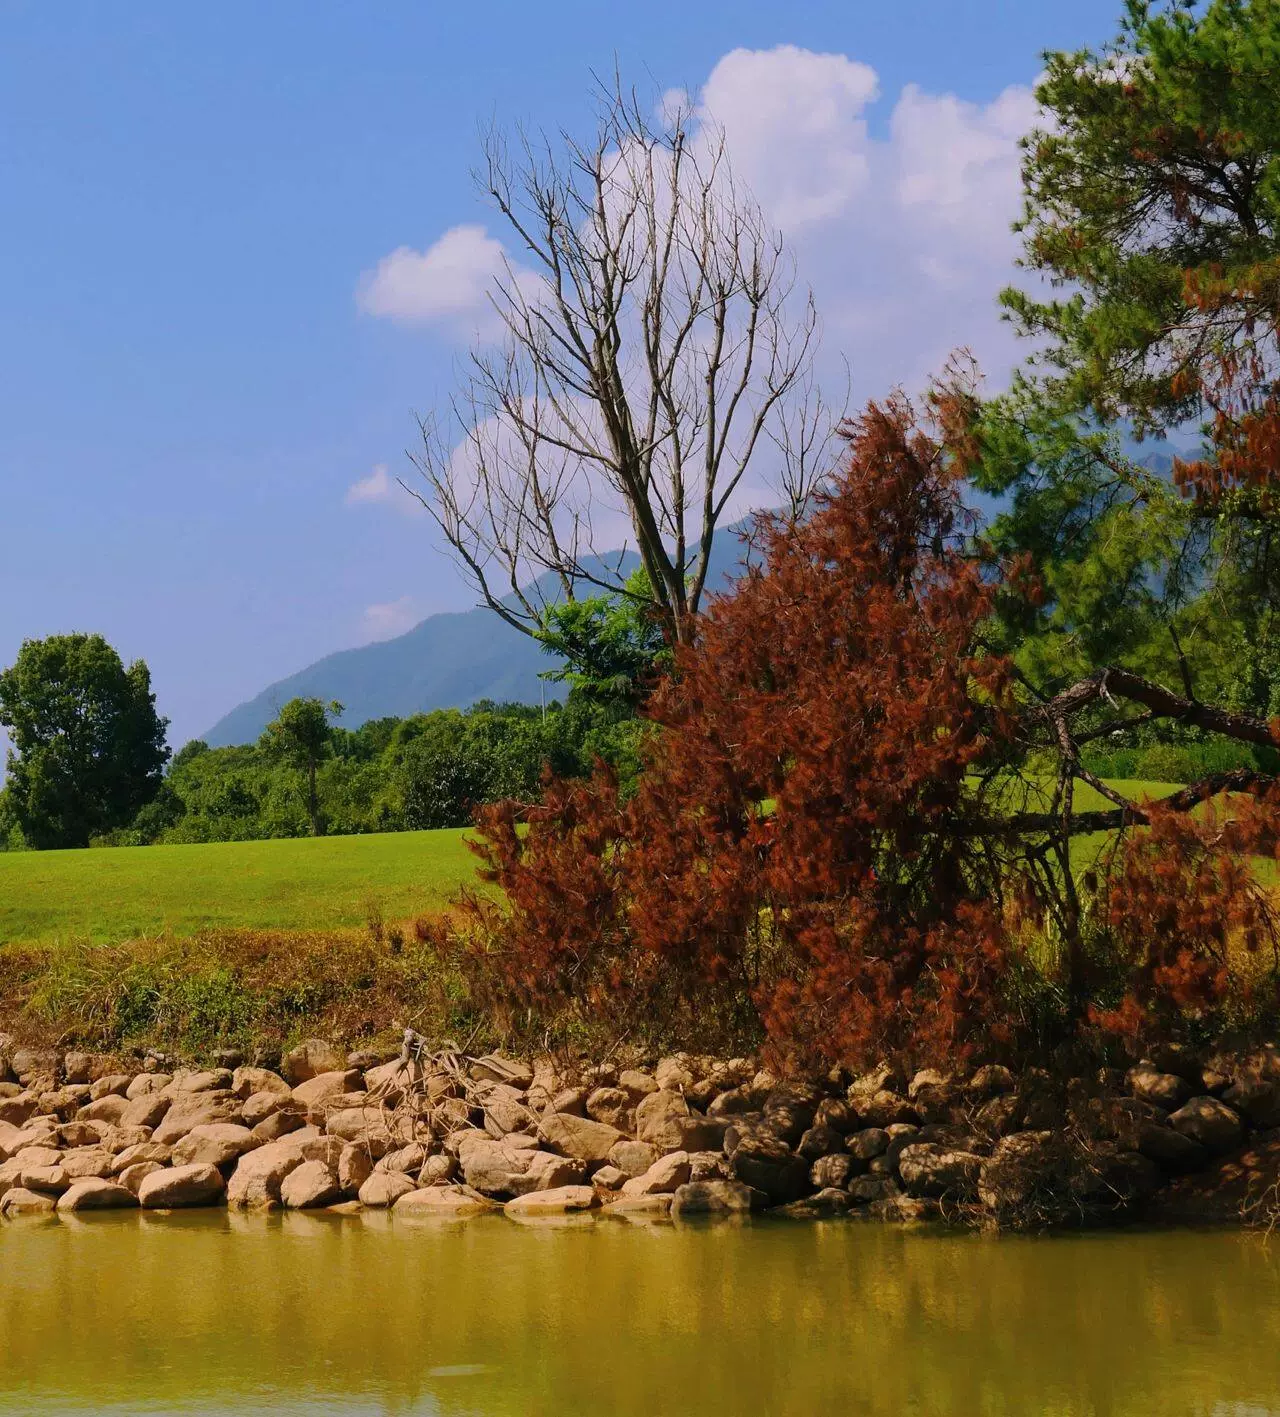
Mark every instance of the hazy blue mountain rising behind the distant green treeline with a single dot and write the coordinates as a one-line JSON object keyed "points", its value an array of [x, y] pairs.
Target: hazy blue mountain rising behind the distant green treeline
{"points": [[444, 662]]}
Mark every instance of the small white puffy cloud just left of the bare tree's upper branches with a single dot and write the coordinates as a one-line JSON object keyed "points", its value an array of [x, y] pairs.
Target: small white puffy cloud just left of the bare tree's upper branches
{"points": [[447, 283]]}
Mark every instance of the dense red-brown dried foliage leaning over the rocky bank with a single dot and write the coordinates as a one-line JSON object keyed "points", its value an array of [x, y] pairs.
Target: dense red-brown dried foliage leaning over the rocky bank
{"points": [[803, 840]]}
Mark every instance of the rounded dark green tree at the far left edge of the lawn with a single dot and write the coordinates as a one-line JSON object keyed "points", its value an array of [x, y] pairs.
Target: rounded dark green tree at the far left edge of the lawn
{"points": [[89, 746]]}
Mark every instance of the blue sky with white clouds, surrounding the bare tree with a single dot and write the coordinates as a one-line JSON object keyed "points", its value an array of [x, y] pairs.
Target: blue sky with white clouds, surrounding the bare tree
{"points": [[195, 198]]}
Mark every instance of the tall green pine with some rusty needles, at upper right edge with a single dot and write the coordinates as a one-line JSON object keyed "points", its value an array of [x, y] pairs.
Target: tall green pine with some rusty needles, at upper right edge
{"points": [[1152, 205]]}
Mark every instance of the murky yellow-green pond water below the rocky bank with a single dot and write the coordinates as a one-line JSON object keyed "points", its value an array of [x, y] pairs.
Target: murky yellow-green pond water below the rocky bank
{"points": [[296, 1314]]}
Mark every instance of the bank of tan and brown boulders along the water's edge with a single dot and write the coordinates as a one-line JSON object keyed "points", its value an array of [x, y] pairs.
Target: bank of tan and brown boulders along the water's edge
{"points": [[447, 1134]]}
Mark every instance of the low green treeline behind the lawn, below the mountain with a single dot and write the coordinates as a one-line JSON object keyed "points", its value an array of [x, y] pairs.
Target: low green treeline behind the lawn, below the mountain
{"points": [[388, 776]]}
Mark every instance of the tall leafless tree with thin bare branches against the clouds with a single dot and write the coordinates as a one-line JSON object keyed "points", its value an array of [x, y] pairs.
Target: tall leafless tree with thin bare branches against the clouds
{"points": [[657, 349]]}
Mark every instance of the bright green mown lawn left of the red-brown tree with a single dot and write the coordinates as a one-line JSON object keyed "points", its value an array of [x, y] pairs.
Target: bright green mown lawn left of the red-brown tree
{"points": [[118, 893]]}
